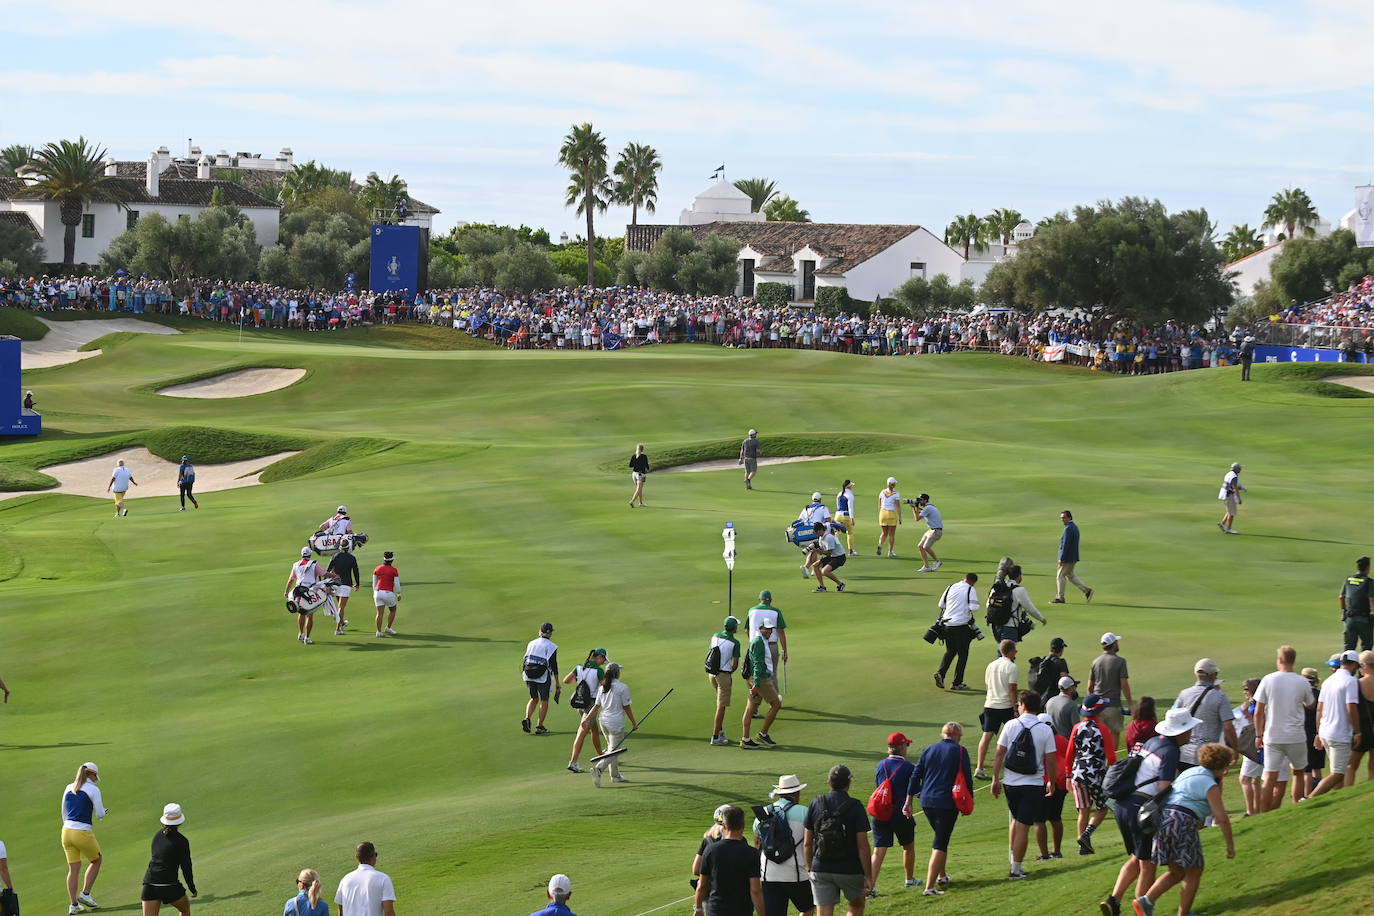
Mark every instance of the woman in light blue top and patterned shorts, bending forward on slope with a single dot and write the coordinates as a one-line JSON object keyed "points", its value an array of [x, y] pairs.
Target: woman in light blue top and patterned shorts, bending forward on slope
{"points": [[1196, 796]]}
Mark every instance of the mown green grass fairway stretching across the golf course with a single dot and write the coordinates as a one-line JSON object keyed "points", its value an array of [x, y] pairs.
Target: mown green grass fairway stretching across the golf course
{"points": [[159, 645]]}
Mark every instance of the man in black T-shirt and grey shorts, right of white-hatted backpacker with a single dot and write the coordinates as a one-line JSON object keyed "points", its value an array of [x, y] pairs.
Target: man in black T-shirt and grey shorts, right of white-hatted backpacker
{"points": [[836, 844]]}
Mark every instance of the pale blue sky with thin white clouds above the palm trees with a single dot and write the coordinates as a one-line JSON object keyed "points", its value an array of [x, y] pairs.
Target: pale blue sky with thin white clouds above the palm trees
{"points": [[865, 112]]}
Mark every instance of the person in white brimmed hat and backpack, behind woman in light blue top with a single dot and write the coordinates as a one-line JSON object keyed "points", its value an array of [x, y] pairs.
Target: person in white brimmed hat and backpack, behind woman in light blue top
{"points": [[1159, 767]]}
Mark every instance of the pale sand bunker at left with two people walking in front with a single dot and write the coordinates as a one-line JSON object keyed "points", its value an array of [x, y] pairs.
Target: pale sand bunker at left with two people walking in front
{"points": [[155, 477]]}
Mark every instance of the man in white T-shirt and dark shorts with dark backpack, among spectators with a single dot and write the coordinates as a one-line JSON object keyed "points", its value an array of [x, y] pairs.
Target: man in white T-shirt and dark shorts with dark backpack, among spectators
{"points": [[1026, 775]]}
